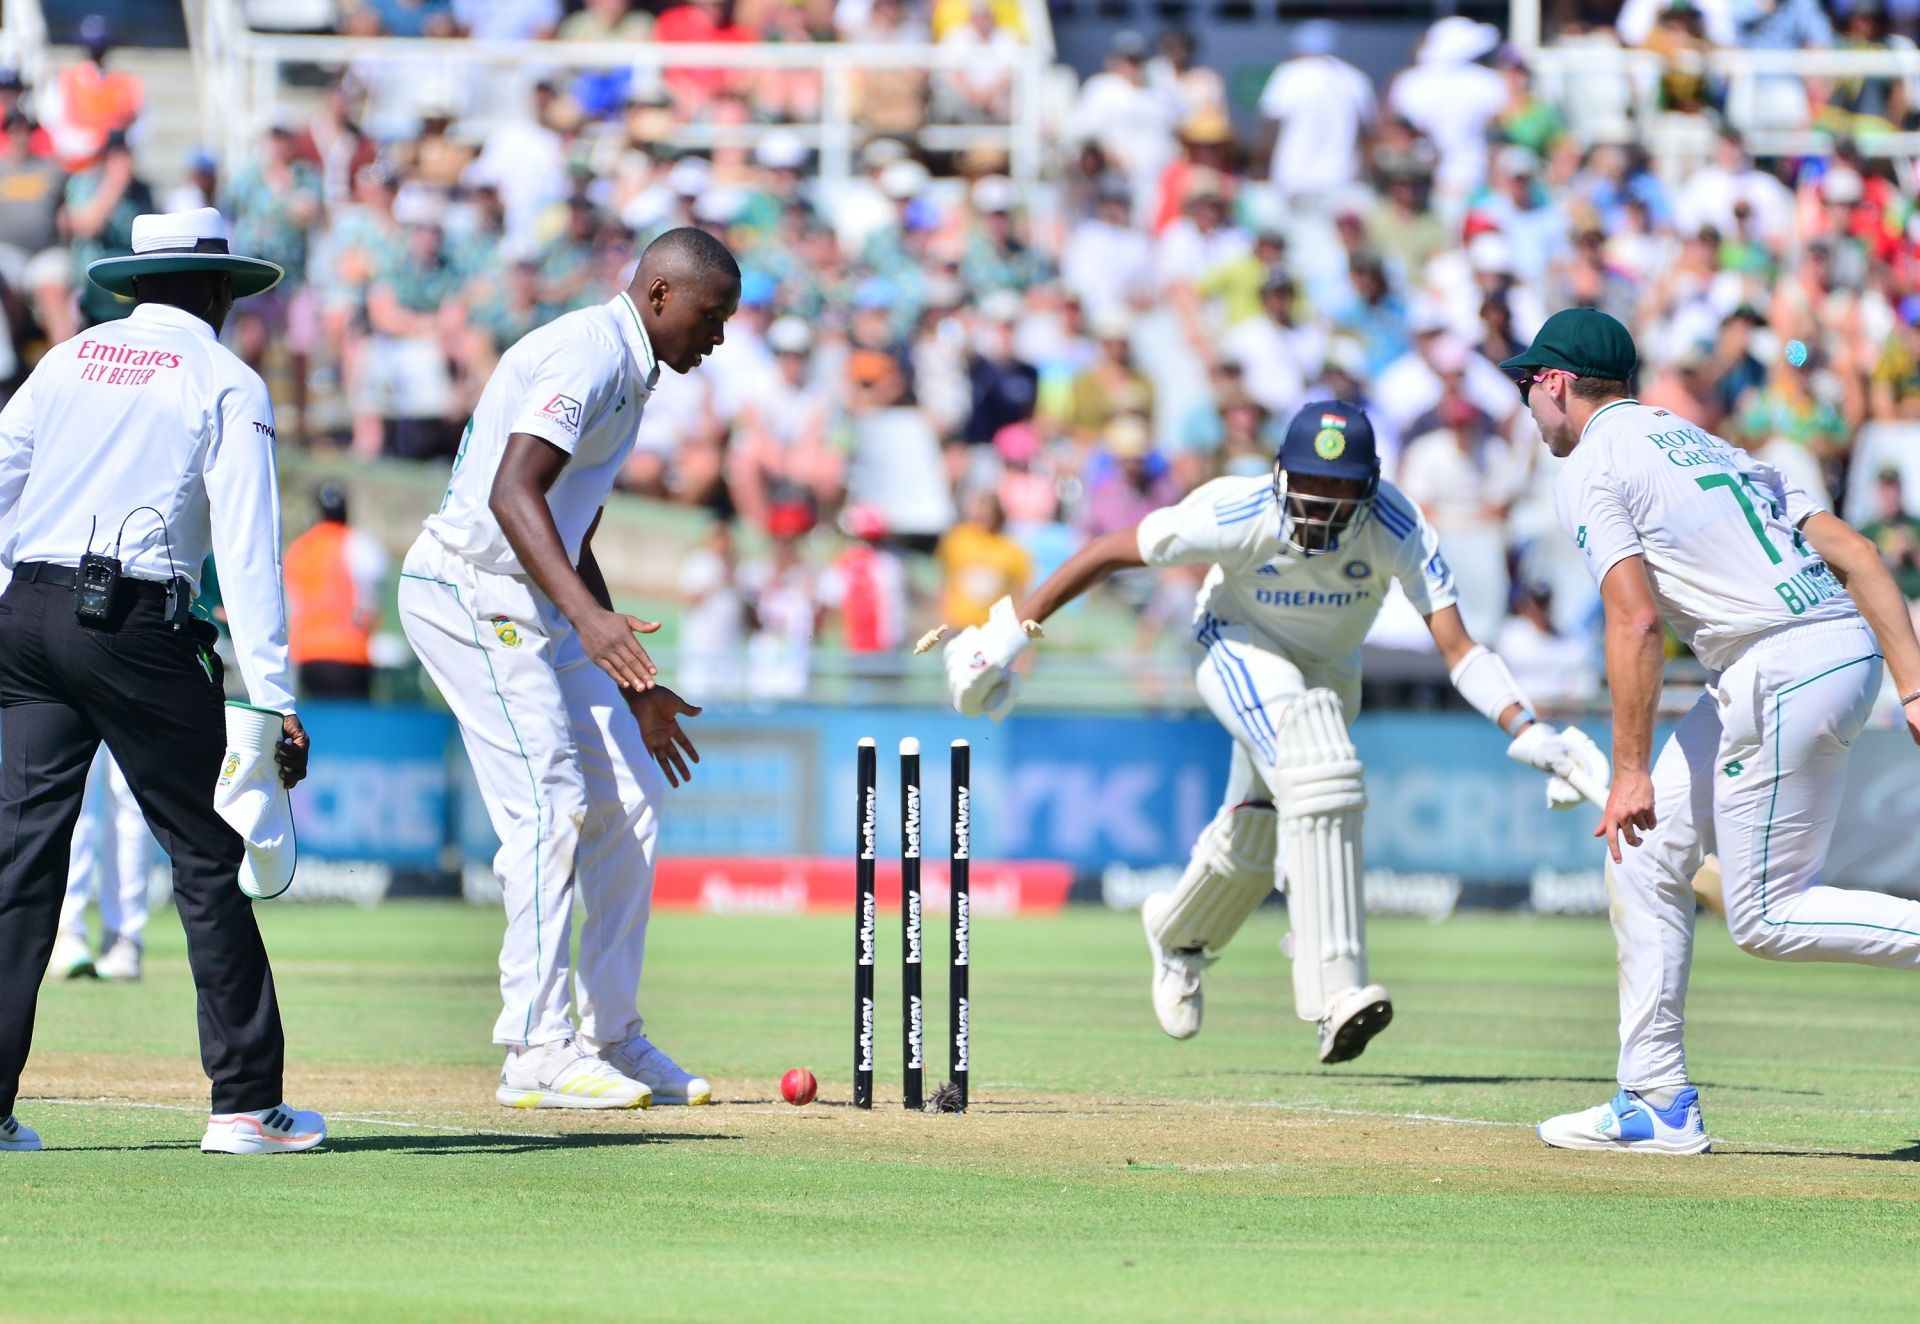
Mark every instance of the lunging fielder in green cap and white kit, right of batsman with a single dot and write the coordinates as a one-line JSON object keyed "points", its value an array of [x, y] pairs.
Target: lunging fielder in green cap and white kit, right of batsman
{"points": [[1800, 621]]}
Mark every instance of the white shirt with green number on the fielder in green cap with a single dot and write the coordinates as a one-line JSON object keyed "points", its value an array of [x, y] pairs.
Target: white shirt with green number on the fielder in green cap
{"points": [[1717, 529]]}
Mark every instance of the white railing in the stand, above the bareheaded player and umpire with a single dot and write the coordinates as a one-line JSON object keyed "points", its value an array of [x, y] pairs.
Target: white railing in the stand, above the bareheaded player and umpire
{"points": [[243, 70]]}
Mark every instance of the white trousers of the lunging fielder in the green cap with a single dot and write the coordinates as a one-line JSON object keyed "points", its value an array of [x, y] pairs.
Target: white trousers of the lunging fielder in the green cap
{"points": [[1756, 770]]}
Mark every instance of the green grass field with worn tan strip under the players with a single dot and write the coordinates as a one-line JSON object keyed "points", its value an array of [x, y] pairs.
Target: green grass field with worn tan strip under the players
{"points": [[1105, 1171]]}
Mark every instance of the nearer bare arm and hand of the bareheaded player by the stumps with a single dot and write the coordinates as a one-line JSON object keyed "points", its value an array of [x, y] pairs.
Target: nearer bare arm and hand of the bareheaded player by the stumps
{"points": [[519, 502]]}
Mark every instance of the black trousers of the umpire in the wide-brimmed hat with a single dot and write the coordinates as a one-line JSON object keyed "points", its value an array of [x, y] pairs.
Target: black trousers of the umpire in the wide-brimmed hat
{"points": [[155, 696]]}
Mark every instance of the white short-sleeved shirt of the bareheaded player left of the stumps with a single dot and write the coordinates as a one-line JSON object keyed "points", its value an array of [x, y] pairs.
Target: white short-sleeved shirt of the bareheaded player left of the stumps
{"points": [[577, 383]]}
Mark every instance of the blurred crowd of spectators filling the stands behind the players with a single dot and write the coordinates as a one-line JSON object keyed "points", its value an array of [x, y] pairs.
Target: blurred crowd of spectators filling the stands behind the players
{"points": [[936, 362]]}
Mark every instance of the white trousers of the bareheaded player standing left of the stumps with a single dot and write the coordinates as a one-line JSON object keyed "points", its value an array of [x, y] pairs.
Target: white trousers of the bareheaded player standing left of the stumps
{"points": [[567, 782]]}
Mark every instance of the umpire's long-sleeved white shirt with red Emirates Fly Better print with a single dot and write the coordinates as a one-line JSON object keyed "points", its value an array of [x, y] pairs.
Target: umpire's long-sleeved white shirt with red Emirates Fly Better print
{"points": [[153, 417]]}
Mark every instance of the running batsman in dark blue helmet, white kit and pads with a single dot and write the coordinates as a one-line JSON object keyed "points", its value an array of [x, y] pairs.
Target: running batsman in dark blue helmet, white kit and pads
{"points": [[1301, 567]]}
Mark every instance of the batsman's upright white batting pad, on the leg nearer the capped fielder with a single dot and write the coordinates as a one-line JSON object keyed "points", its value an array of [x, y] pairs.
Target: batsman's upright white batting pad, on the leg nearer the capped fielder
{"points": [[1322, 799]]}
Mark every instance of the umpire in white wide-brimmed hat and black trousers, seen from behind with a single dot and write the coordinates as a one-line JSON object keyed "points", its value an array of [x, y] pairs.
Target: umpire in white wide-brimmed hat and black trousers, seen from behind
{"points": [[133, 452]]}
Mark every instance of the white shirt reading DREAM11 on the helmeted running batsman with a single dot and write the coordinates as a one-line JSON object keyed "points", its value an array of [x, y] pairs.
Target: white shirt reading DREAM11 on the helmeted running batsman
{"points": [[1310, 609]]}
